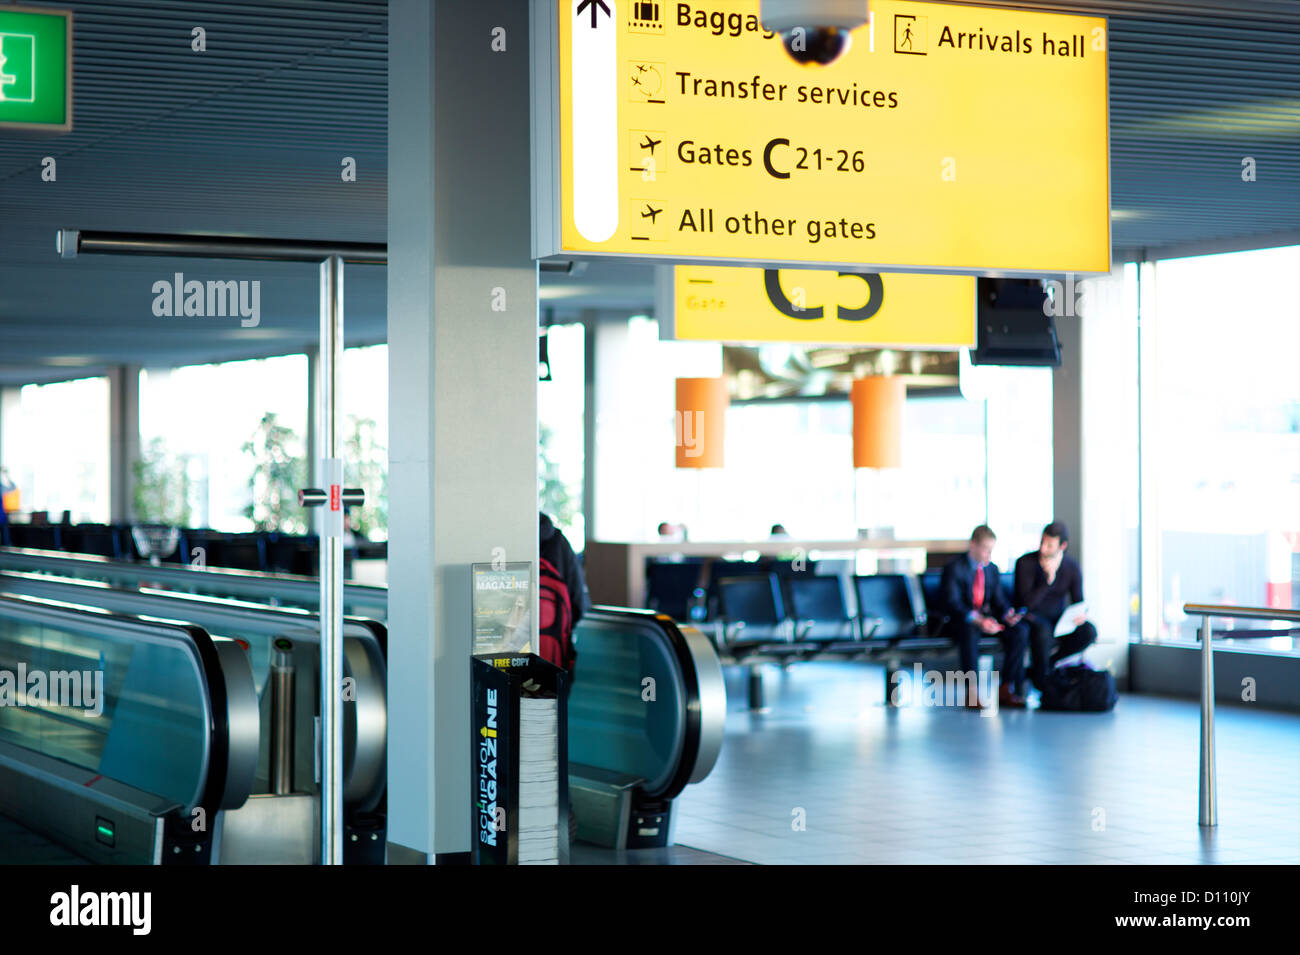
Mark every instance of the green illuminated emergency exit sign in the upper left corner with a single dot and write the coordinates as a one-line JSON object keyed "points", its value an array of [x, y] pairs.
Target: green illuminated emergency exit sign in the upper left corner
{"points": [[36, 70]]}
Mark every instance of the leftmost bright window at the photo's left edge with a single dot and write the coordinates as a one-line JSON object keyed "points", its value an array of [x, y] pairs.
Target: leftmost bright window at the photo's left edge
{"points": [[57, 449]]}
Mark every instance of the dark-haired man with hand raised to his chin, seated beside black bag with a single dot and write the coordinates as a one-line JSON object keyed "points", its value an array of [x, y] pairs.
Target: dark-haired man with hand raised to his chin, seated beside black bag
{"points": [[1047, 581]]}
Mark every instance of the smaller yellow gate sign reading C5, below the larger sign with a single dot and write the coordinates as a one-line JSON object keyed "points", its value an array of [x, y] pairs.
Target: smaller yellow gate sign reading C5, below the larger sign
{"points": [[727, 305]]}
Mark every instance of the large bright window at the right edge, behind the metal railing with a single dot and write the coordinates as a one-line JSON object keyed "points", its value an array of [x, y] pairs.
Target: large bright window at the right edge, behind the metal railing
{"points": [[1228, 418]]}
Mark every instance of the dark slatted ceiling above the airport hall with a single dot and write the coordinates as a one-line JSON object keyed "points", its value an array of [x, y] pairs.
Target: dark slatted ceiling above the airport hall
{"points": [[248, 138]]}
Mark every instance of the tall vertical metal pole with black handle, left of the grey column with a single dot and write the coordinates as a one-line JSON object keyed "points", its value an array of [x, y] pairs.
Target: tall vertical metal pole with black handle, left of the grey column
{"points": [[332, 563]]}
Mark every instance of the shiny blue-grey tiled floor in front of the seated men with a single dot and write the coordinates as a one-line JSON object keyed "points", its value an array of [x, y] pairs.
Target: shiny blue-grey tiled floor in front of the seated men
{"points": [[947, 785]]}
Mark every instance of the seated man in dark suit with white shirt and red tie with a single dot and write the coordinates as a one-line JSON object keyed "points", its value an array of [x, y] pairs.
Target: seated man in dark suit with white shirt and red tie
{"points": [[972, 594]]}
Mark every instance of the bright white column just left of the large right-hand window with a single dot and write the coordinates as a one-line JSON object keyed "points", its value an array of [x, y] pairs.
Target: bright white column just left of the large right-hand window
{"points": [[1095, 454]]}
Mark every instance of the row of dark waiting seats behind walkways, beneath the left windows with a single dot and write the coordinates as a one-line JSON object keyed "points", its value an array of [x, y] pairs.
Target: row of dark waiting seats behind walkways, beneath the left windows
{"points": [[263, 552]]}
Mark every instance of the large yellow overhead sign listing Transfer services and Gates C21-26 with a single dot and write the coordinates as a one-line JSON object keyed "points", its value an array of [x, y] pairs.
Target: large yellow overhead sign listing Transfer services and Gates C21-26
{"points": [[946, 140]]}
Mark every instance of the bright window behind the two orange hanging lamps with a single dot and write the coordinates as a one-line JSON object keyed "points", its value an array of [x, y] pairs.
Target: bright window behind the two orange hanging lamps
{"points": [[788, 461]]}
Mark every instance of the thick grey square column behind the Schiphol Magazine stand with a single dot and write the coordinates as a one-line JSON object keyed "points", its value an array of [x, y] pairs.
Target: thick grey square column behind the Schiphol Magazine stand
{"points": [[462, 383]]}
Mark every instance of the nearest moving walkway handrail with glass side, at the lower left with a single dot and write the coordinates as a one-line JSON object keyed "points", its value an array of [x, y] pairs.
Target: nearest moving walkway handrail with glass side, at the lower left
{"points": [[140, 765]]}
